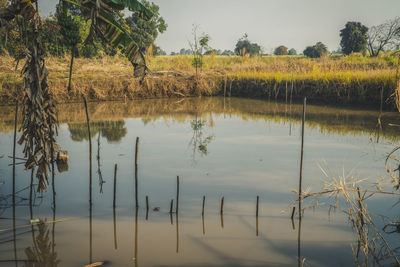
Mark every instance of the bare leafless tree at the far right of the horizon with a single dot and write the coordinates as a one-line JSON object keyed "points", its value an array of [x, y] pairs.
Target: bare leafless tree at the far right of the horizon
{"points": [[386, 35]]}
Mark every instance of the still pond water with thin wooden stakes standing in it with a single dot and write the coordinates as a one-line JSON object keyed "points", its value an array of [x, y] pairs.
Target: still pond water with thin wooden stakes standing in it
{"points": [[234, 148]]}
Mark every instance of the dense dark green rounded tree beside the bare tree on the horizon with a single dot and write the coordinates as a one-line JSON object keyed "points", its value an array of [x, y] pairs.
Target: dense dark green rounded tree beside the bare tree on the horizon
{"points": [[354, 38]]}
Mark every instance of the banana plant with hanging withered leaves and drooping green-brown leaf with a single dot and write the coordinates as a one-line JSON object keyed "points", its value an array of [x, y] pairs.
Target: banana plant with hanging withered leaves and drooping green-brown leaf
{"points": [[39, 115]]}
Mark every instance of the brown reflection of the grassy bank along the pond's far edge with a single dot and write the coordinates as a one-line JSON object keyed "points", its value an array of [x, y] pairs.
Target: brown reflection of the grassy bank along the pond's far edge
{"points": [[328, 119]]}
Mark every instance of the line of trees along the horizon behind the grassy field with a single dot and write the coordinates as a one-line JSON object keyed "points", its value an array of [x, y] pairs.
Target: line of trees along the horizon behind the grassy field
{"points": [[66, 32]]}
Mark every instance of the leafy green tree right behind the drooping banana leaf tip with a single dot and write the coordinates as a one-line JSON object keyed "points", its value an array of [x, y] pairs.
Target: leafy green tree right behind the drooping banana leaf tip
{"points": [[145, 32]]}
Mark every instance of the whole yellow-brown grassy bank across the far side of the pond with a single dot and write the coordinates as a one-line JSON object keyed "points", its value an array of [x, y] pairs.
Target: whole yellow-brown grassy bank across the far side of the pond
{"points": [[347, 80]]}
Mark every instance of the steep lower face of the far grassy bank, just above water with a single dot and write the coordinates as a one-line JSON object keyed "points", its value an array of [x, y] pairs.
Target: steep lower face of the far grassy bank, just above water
{"points": [[368, 91]]}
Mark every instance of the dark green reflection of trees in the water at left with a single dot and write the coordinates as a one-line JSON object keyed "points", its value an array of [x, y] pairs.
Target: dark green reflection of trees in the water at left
{"points": [[113, 131]]}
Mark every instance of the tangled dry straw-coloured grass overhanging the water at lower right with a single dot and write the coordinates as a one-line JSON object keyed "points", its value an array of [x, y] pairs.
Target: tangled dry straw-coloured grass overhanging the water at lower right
{"points": [[372, 245]]}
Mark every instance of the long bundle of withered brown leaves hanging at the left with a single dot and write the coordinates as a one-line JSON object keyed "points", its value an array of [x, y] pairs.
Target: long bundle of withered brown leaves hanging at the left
{"points": [[39, 115]]}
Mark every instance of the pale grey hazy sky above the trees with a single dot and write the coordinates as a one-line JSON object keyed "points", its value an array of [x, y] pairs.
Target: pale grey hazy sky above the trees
{"points": [[270, 23]]}
